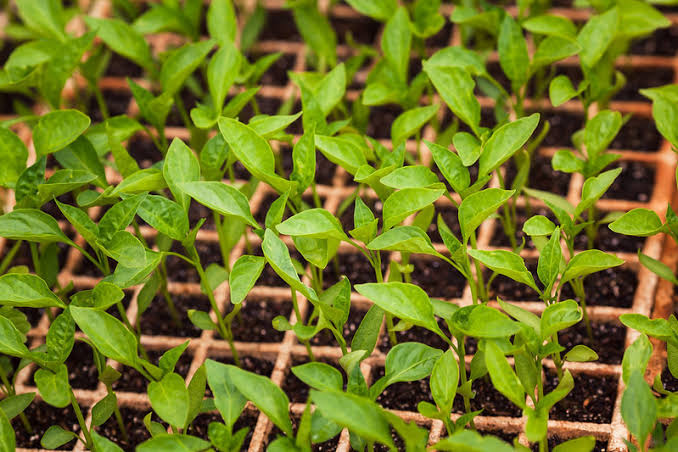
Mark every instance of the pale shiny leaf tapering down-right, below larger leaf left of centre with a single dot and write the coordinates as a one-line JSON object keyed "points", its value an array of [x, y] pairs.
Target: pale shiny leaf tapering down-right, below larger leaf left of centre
{"points": [[221, 198]]}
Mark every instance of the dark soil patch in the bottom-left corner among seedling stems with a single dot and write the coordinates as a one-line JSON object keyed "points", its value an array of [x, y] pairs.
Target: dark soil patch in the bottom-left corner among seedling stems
{"points": [[43, 416]]}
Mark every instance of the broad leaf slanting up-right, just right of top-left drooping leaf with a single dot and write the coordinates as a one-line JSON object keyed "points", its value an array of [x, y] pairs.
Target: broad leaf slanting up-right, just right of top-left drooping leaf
{"points": [[181, 63]]}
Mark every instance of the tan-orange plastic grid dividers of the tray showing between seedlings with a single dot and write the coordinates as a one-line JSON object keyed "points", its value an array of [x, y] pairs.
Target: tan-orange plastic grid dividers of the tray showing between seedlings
{"points": [[662, 160]]}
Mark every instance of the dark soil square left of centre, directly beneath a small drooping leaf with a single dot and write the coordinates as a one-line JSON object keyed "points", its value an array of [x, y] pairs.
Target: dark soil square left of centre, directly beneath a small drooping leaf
{"points": [[254, 324]]}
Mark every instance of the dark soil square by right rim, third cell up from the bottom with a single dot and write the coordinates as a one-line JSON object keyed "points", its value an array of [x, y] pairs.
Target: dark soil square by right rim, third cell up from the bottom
{"points": [[610, 287]]}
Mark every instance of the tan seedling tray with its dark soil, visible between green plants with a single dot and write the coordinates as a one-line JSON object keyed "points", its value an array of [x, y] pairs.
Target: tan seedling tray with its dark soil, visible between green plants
{"points": [[647, 181]]}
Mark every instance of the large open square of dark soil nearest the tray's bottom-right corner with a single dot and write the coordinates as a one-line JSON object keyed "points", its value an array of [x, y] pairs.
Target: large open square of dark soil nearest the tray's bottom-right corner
{"points": [[591, 400]]}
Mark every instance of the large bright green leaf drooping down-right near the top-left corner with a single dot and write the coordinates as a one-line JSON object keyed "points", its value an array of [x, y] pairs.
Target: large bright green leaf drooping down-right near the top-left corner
{"points": [[122, 39]]}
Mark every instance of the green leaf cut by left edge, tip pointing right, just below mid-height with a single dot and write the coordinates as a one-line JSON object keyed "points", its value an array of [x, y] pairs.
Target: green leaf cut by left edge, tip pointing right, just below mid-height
{"points": [[28, 291]]}
